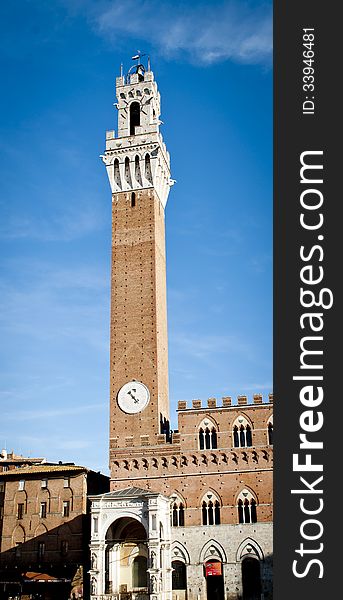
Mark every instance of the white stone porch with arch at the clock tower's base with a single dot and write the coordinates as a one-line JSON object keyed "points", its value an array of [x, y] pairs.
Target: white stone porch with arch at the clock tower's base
{"points": [[130, 545]]}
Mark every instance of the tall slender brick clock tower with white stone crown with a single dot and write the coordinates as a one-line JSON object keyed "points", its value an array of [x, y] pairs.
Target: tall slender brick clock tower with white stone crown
{"points": [[137, 164]]}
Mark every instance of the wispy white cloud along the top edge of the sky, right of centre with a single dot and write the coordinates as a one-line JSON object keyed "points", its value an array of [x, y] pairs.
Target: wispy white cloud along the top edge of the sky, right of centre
{"points": [[203, 34]]}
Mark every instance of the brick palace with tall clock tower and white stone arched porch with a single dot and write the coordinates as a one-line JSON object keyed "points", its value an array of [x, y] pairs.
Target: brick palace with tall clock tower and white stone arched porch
{"points": [[189, 514]]}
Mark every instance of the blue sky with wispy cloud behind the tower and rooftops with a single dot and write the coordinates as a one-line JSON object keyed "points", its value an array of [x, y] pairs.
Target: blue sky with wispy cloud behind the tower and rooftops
{"points": [[59, 60]]}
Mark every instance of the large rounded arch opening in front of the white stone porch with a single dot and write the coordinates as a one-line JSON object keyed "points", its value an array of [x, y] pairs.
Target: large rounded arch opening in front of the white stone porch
{"points": [[126, 557]]}
